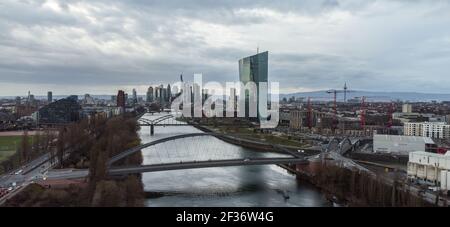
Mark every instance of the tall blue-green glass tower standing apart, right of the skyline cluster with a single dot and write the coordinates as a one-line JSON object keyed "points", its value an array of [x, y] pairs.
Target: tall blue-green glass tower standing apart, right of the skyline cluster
{"points": [[254, 69]]}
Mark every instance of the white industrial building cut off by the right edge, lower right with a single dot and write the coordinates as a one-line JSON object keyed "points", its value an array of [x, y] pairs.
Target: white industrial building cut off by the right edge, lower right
{"points": [[430, 168]]}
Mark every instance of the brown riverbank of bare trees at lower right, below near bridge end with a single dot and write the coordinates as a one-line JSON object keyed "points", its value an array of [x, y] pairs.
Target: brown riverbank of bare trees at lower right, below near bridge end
{"points": [[358, 188]]}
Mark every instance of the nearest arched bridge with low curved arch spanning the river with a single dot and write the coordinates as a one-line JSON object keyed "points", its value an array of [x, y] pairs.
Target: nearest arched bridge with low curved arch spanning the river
{"points": [[196, 159]]}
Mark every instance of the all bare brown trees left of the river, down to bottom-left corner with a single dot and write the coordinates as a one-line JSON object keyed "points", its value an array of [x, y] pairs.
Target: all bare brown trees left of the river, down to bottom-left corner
{"points": [[90, 145]]}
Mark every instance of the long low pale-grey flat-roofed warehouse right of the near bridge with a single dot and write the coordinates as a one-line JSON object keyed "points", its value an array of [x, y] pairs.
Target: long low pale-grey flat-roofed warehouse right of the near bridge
{"points": [[402, 145]]}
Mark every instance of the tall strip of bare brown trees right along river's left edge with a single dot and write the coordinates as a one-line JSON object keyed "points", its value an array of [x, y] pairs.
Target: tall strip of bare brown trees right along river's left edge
{"points": [[120, 134]]}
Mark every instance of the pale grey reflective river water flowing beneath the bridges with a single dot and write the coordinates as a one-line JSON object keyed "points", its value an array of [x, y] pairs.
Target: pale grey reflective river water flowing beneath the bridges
{"points": [[242, 186]]}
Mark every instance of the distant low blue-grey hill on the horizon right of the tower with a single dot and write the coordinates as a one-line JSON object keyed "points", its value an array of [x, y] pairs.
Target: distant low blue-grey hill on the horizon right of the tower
{"points": [[375, 96]]}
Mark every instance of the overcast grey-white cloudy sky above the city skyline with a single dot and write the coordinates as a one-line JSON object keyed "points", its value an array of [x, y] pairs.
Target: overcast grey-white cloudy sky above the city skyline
{"points": [[98, 47]]}
